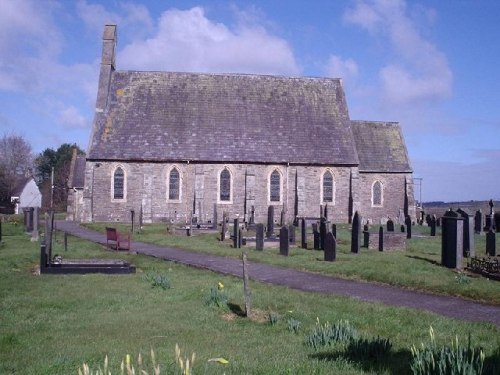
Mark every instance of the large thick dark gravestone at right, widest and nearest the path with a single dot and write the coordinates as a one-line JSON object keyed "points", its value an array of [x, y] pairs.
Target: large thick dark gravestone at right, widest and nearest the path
{"points": [[452, 240]]}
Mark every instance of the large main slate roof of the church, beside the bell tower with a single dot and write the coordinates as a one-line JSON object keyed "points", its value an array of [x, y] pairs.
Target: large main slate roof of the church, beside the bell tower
{"points": [[164, 116]]}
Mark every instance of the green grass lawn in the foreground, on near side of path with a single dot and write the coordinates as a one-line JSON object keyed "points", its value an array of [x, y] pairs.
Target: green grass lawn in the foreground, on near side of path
{"points": [[51, 324]]}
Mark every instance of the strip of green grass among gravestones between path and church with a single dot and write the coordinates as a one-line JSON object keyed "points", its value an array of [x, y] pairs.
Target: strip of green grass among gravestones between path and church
{"points": [[416, 268]]}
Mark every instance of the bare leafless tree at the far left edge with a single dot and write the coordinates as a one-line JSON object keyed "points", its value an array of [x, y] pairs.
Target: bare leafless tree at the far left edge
{"points": [[16, 160]]}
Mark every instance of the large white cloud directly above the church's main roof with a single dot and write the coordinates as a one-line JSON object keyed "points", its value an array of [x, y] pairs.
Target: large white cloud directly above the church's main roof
{"points": [[189, 41]]}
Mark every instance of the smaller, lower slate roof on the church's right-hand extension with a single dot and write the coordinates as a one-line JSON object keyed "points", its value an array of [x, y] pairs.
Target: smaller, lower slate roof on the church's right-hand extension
{"points": [[380, 146]]}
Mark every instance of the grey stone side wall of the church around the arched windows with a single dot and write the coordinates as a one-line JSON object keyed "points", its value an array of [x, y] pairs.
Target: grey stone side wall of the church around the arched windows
{"points": [[146, 188]]}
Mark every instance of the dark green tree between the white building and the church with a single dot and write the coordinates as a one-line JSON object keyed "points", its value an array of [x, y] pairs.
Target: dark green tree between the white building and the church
{"points": [[60, 160]]}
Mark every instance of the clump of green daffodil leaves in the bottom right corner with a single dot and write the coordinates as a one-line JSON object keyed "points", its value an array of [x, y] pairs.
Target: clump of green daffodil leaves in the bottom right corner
{"points": [[431, 359]]}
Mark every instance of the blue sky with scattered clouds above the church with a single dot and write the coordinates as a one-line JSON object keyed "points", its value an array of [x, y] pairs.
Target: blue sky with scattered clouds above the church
{"points": [[431, 65]]}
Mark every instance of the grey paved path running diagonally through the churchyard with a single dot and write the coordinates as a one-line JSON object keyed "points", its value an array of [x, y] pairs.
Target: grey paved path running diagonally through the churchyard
{"points": [[444, 305]]}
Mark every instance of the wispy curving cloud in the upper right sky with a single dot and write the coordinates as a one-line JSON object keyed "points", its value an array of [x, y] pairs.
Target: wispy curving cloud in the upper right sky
{"points": [[419, 71]]}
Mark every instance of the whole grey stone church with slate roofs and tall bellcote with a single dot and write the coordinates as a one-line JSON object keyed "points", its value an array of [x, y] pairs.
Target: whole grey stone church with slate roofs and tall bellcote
{"points": [[176, 146]]}
